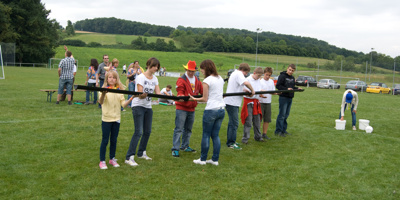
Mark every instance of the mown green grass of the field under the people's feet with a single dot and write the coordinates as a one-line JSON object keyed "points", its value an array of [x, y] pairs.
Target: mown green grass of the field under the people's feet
{"points": [[52, 151]]}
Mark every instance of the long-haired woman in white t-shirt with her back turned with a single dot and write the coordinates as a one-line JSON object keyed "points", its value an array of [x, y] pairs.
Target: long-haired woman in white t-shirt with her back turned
{"points": [[214, 113]]}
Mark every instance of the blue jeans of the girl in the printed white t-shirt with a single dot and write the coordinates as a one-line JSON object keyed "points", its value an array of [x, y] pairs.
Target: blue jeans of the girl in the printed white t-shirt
{"points": [[142, 118]]}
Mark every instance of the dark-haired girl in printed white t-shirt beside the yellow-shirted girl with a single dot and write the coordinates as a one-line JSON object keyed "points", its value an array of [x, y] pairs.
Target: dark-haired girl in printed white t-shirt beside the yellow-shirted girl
{"points": [[142, 113]]}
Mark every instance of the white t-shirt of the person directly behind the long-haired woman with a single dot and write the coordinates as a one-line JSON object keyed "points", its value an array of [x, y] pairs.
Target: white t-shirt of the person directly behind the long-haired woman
{"points": [[235, 84]]}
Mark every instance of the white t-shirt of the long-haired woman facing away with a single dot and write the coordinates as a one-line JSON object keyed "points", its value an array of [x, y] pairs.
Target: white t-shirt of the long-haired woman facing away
{"points": [[215, 92]]}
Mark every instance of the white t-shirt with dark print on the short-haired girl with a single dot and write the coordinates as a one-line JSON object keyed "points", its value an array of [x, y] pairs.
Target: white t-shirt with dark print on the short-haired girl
{"points": [[149, 86]]}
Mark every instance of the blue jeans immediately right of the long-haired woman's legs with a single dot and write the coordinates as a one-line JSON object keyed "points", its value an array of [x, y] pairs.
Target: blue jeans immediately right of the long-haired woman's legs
{"points": [[233, 124]]}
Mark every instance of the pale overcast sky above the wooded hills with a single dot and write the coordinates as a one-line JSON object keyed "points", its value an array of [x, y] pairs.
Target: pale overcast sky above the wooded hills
{"points": [[357, 25]]}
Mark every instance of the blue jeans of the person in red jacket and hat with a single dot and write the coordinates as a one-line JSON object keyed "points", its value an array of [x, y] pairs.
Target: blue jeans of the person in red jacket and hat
{"points": [[183, 127]]}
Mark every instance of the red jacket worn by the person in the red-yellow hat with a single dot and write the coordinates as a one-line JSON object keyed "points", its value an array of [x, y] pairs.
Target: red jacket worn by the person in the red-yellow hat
{"points": [[183, 88]]}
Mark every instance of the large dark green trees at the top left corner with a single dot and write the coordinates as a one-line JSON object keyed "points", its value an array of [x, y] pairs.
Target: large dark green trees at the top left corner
{"points": [[26, 23]]}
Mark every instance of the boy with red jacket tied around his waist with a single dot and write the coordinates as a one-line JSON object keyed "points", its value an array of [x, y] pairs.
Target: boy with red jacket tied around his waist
{"points": [[251, 110]]}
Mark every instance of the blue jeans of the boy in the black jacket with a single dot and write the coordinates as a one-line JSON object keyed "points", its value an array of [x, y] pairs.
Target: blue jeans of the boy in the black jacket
{"points": [[285, 104]]}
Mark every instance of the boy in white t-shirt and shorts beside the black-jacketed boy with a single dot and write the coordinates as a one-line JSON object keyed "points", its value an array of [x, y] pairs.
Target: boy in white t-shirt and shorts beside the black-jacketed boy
{"points": [[266, 85]]}
